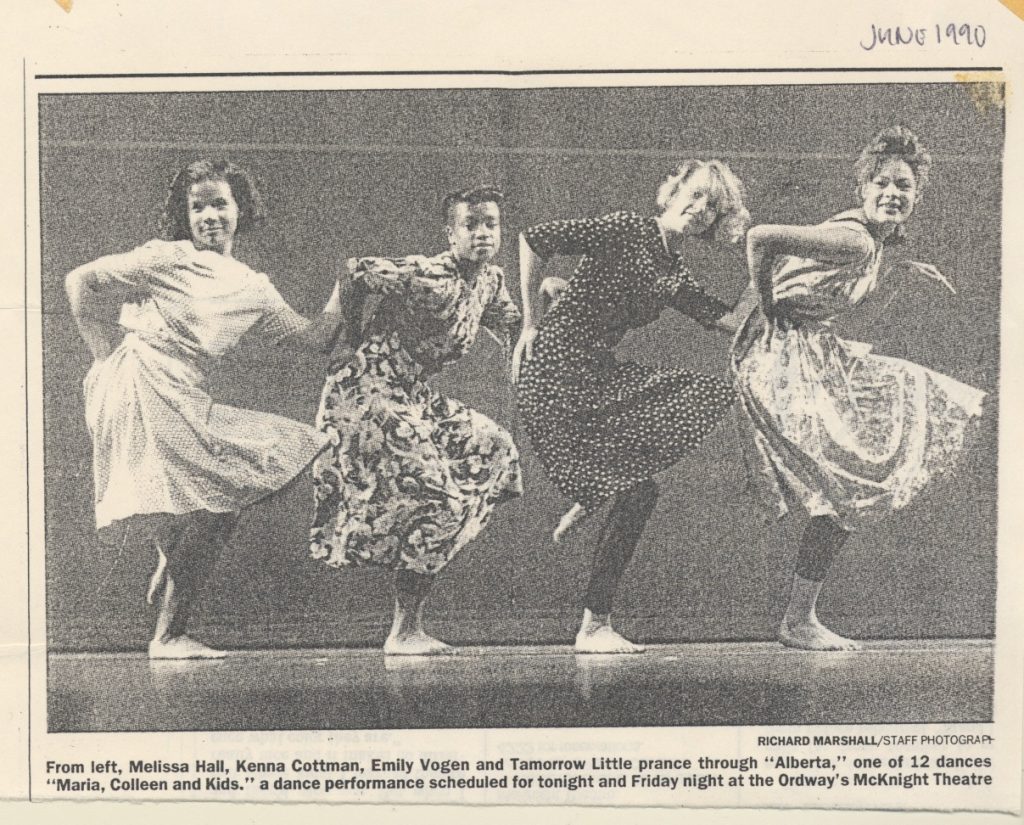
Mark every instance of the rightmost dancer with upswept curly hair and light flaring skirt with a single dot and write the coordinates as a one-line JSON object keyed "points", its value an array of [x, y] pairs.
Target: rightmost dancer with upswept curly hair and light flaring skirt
{"points": [[847, 435]]}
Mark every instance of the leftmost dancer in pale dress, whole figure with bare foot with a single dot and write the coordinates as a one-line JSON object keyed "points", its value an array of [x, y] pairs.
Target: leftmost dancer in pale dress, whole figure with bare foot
{"points": [[168, 462]]}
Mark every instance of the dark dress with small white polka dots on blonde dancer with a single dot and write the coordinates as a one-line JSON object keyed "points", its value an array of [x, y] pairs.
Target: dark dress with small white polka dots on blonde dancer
{"points": [[602, 426]]}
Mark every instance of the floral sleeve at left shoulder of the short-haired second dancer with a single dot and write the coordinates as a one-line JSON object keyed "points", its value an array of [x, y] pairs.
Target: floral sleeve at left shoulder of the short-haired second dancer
{"points": [[429, 283]]}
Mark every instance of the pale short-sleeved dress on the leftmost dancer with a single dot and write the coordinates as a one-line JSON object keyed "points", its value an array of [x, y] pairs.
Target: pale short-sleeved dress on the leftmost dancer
{"points": [[161, 446]]}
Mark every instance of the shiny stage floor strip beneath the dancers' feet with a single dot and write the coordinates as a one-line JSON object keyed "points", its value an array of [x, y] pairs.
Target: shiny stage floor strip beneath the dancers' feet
{"points": [[525, 687]]}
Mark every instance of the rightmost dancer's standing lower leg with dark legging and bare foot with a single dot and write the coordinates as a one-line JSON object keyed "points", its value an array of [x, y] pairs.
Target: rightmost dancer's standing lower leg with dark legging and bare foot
{"points": [[800, 628]]}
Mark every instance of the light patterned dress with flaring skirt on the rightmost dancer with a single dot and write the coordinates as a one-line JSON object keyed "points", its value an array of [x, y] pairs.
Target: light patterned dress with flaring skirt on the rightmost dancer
{"points": [[830, 425]]}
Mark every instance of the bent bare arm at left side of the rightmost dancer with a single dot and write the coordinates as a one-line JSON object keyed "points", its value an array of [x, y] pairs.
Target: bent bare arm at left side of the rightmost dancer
{"points": [[766, 243]]}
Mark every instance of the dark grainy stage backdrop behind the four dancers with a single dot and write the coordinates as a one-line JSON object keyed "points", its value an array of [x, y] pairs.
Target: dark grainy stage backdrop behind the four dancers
{"points": [[362, 173]]}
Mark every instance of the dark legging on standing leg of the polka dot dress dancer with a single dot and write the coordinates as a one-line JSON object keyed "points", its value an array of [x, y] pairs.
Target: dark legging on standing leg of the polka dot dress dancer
{"points": [[618, 543]]}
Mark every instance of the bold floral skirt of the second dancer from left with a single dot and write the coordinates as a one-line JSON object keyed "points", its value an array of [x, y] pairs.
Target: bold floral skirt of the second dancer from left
{"points": [[411, 476]]}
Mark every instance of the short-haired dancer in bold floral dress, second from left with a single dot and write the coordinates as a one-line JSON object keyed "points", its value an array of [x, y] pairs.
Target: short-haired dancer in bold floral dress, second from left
{"points": [[412, 475]]}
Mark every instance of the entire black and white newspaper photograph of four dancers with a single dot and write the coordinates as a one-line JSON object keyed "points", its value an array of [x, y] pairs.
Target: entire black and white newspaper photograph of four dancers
{"points": [[448, 406]]}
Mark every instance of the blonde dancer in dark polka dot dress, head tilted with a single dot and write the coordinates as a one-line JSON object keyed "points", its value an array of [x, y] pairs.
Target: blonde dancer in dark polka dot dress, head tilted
{"points": [[602, 427]]}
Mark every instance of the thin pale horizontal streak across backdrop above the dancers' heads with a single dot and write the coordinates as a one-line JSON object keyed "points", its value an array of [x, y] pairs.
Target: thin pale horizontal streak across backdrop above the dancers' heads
{"points": [[340, 149]]}
